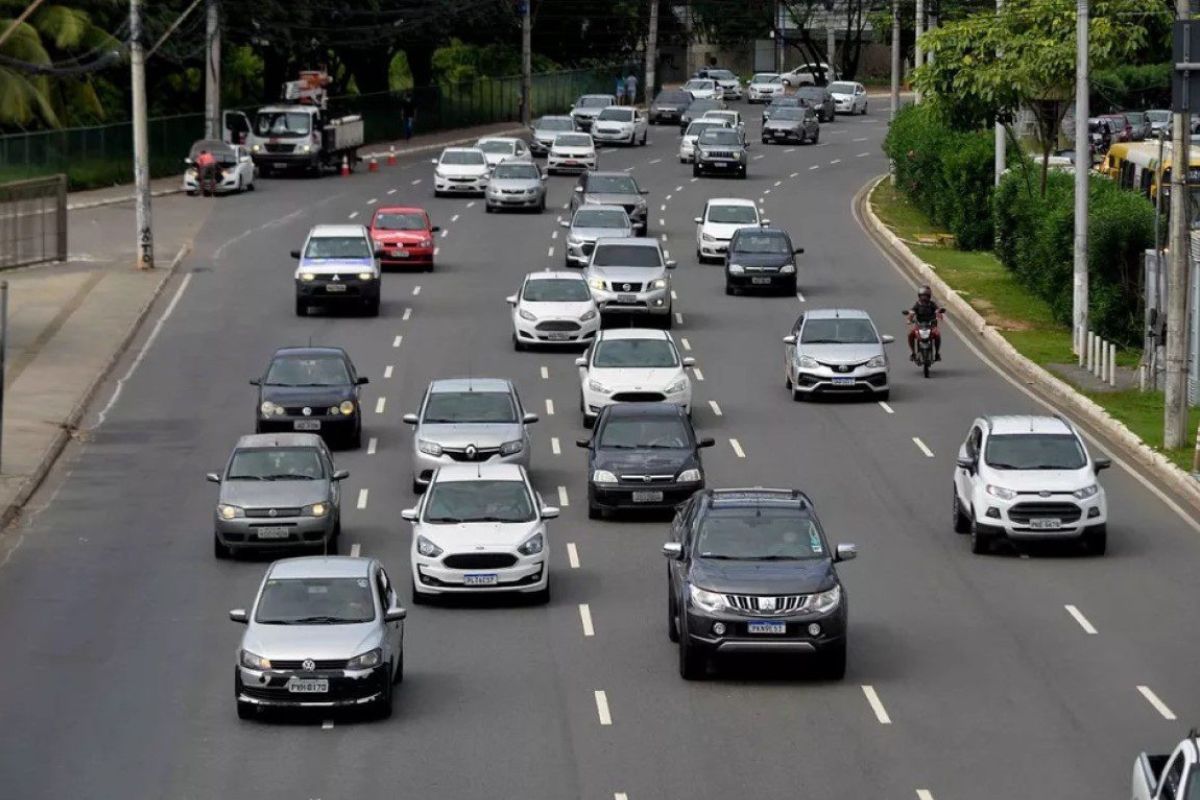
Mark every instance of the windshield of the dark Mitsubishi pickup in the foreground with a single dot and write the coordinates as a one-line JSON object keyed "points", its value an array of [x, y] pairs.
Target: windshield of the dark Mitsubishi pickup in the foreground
{"points": [[759, 534]]}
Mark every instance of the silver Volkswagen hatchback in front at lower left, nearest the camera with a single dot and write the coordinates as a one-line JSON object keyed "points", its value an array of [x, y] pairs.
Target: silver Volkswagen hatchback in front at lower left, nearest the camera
{"points": [[325, 633]]}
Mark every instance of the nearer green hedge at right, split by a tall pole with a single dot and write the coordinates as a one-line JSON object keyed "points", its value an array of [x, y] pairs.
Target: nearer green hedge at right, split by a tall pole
{"points": [[1036, 240]]}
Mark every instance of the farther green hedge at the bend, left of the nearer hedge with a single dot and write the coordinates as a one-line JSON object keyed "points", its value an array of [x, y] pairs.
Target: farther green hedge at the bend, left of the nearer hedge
{"points": [[946, 173]]}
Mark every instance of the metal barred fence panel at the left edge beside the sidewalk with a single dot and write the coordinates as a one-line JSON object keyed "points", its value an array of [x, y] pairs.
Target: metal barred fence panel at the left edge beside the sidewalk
{"points": [[33, 221]]}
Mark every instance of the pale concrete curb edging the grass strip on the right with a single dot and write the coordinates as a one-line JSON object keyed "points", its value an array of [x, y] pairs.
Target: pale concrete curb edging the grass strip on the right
{"points": [[1036, 378]]}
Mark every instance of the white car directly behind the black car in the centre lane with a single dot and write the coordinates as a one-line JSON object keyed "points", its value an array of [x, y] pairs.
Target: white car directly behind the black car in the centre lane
{"points": [[633, 365]]}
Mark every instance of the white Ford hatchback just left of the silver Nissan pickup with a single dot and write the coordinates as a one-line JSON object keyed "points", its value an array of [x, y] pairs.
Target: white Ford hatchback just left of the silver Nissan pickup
{"points": [[554, 308]]}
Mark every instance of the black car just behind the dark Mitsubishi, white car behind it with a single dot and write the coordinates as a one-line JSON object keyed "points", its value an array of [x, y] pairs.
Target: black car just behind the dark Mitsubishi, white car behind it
{"points": [[643, 456]]}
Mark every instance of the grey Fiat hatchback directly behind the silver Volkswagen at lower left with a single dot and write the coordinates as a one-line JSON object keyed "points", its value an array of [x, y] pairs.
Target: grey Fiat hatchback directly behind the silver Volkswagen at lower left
{"points": [[278, 490]]}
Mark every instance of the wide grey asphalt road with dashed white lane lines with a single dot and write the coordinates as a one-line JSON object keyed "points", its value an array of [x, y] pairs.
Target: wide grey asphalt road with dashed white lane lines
{"points": [[969, 677]]}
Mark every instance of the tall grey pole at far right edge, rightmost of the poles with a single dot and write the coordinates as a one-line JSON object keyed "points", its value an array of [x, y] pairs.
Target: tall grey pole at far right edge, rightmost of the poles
{"points": [[1175, 419]]}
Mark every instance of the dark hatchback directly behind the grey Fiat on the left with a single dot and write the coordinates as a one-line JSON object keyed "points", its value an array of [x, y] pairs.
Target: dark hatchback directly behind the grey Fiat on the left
{"points": [[314, 389]]}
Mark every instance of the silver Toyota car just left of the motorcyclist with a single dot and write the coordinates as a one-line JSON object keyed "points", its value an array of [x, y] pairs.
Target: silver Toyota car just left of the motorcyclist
{"points": [[836, 351]]}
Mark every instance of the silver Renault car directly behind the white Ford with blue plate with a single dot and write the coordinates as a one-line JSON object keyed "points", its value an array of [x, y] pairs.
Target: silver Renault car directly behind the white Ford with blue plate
{"points": [[469, 420]]}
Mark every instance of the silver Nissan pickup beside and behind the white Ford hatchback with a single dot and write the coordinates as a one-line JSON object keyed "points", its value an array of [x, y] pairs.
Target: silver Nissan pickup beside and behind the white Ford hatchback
{"points": [[629, 276]]}
